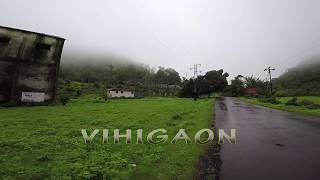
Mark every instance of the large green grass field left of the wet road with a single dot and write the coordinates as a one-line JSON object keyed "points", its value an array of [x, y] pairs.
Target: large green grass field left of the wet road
{"points": [[46, 142]]}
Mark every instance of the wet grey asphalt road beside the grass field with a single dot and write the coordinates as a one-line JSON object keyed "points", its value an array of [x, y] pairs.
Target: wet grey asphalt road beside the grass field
{"points": [[271, 144]]}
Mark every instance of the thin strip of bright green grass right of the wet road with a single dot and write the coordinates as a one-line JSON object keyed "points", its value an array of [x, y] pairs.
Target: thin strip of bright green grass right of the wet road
{"points": [[296, 109]]}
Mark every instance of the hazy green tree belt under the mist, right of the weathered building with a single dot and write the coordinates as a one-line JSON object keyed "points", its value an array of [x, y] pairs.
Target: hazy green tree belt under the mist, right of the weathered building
{"points": [[111, 75]]}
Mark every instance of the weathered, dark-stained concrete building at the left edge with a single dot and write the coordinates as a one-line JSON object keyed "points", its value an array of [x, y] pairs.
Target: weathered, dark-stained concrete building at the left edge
{"points": [[29, 66]]}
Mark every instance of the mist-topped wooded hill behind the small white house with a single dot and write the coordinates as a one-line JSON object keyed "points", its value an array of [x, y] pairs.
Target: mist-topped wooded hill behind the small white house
{"points": [[113, 70]]}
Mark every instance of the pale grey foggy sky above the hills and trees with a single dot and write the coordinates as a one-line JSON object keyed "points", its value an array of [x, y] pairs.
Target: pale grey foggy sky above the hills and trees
{"points": [[240, 36]]}
